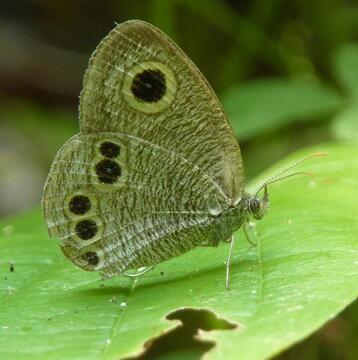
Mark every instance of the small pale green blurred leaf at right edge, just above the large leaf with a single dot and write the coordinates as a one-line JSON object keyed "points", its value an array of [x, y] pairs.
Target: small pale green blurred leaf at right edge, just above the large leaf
{"points": [[345, 124]]}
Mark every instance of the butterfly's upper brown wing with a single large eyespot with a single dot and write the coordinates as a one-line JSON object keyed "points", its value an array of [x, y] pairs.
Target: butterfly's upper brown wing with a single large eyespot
{"points": [[140, 83]]}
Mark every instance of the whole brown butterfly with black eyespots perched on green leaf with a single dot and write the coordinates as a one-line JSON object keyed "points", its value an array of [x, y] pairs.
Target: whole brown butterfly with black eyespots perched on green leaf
{"points": [[155, 169]]}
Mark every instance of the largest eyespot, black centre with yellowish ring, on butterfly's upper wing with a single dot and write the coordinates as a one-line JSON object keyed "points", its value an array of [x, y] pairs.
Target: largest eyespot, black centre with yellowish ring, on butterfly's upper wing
{"points": [[149, 87]]}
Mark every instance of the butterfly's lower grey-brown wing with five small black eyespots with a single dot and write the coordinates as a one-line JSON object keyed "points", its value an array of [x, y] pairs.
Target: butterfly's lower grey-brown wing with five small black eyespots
{"points": [[119, 202]]}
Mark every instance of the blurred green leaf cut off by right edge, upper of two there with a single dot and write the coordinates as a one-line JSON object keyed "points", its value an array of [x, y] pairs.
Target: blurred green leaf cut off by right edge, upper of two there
{"points": [[346, 67]]}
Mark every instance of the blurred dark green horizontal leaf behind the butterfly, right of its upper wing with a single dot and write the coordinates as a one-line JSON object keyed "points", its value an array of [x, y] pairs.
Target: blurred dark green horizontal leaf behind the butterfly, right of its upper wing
{"points": [[265, 105]]}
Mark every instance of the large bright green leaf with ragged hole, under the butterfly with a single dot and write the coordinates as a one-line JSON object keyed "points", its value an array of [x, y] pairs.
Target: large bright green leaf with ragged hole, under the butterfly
{"points": [[301, 274]]}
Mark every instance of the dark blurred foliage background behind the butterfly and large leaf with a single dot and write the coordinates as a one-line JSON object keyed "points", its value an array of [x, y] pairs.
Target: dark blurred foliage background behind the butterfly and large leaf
{"points": [[286, 72]]}
